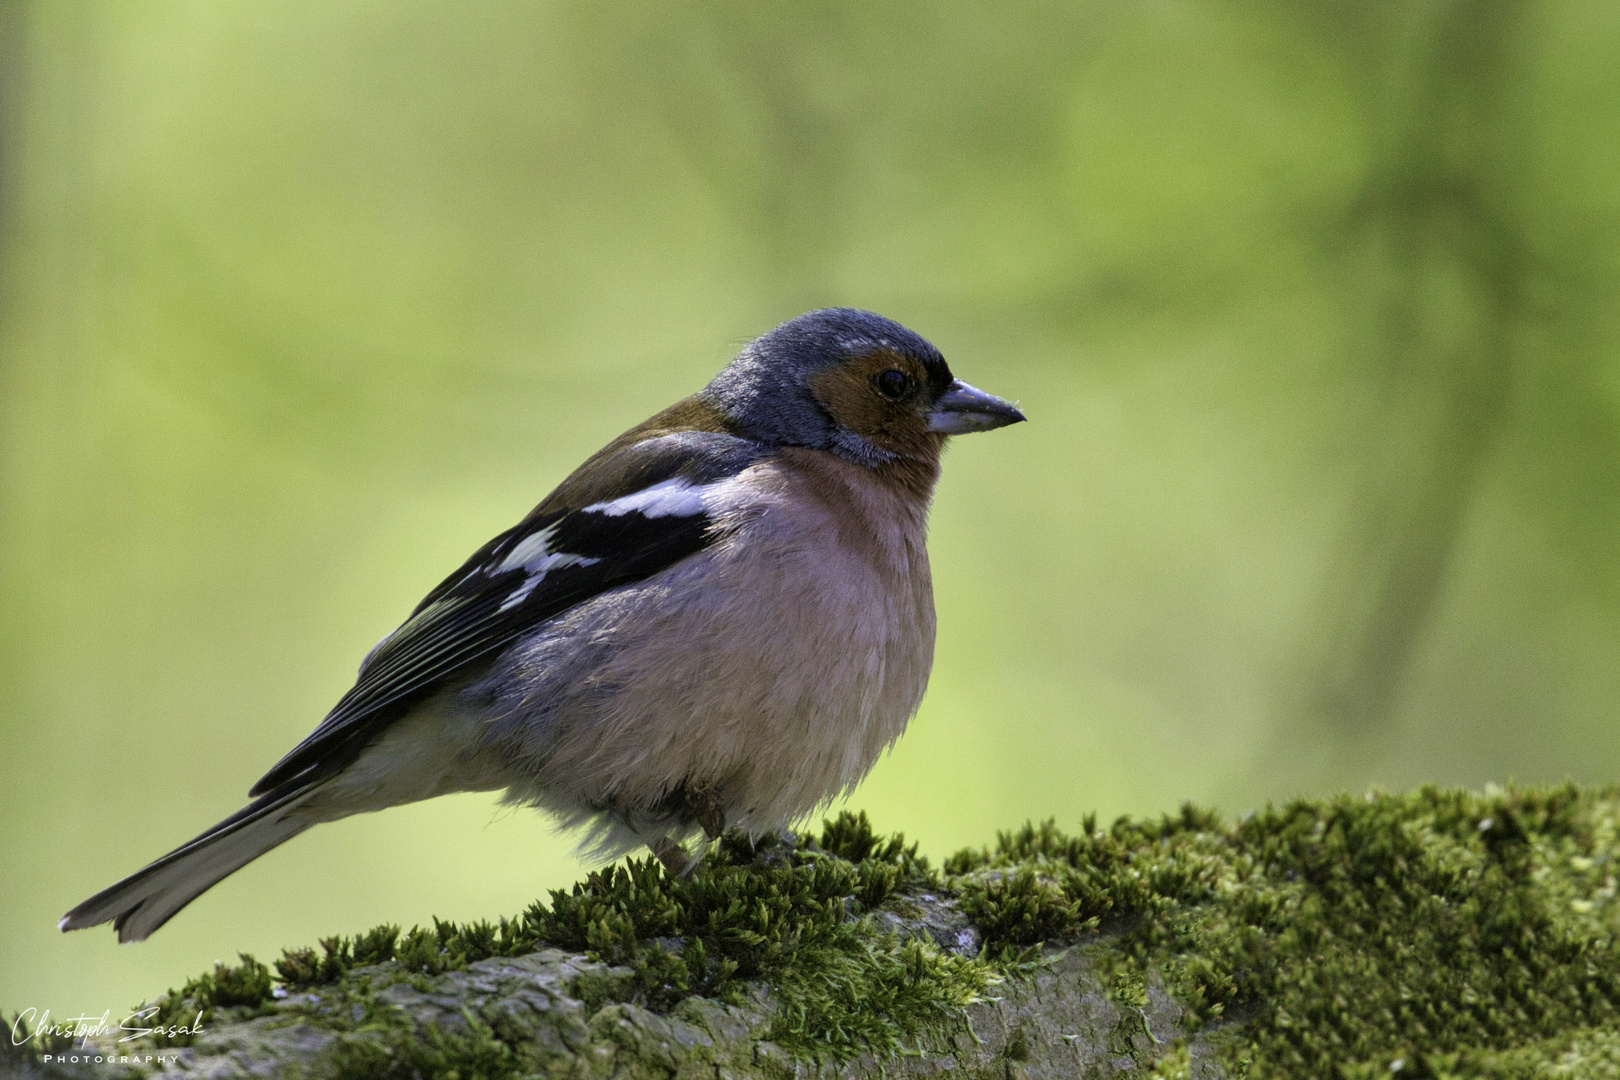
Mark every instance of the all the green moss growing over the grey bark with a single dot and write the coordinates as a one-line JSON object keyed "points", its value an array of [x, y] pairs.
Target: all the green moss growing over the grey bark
{"points": [[1426, 935]]}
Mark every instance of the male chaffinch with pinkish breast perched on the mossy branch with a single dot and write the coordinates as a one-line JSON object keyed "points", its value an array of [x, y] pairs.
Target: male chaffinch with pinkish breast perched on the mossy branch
{"points": [[720, 621]]}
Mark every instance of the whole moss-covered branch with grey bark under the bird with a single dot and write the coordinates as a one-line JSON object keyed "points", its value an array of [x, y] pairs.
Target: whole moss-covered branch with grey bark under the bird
{"points": [[1430, 935]]}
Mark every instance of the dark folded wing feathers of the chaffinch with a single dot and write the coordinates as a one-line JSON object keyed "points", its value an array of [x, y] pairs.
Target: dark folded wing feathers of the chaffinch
{"points": [[475, 613]]}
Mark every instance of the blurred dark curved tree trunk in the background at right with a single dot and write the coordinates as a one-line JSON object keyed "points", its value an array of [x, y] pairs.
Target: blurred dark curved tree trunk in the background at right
{"points": [[1452, 266]]}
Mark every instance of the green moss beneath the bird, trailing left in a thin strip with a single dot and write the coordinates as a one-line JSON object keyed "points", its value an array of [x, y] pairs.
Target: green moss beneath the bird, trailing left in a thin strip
{"points": [[795, 916]]}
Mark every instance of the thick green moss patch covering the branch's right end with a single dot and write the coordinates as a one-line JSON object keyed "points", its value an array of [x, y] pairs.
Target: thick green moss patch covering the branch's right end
{"points": [[1439, 930]]}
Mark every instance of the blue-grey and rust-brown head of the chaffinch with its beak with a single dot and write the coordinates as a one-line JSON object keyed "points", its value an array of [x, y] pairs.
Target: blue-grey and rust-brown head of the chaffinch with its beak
{"points": [[856, 385]]}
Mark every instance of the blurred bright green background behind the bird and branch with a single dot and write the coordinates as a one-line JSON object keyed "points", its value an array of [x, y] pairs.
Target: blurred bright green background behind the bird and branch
{"points": [[1311, 307]]}
